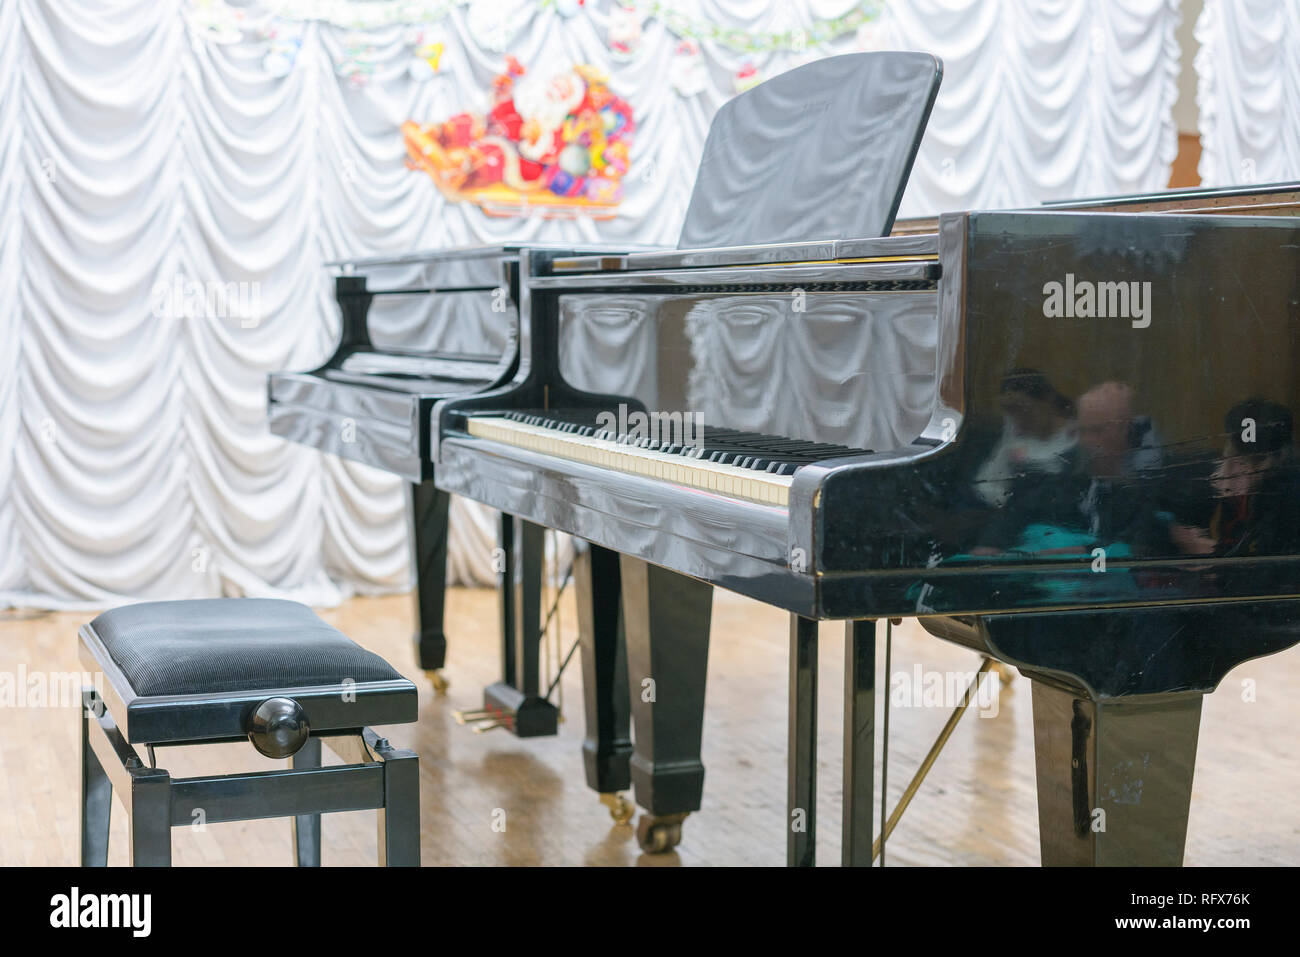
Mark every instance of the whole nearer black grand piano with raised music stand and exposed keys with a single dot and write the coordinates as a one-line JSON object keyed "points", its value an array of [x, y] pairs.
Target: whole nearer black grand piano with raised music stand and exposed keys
{"points": [[1063, 438]]}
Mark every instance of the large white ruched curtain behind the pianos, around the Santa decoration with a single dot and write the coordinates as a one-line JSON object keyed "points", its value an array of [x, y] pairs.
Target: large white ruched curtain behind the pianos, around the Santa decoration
{"points": [[153, 149]]}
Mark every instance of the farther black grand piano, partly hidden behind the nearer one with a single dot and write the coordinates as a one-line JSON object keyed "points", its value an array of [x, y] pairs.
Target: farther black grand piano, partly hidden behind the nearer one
{"points": [[415, 330]]}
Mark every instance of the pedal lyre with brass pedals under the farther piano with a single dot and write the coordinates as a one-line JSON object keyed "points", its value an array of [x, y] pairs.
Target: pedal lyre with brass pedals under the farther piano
{"points": [[518, 698]]}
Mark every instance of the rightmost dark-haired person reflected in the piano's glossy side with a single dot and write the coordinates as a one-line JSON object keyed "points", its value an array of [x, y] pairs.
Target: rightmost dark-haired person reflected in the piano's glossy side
{"points": [[1255, 487]]}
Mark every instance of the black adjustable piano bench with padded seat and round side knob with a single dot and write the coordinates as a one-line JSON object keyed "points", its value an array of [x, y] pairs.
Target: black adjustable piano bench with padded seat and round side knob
{"points": [[207, 672]]}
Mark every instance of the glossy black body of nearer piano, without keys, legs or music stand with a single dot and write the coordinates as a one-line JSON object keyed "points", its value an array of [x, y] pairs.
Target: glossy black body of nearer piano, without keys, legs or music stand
{"points": [[1008, 447]]}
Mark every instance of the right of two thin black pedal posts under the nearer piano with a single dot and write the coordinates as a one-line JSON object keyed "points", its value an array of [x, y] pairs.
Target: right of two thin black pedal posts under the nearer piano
{"points": [[860, 739]]}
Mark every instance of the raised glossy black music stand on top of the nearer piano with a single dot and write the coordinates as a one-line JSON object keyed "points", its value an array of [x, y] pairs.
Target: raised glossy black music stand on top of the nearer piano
{"points": [[821, 153]]}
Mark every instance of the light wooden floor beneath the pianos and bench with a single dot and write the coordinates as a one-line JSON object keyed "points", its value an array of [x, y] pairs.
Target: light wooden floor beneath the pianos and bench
{"points": [[977, 807]]}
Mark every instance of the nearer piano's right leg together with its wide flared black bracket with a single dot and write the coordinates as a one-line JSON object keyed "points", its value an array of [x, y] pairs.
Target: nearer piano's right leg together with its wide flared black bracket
{"points": [[1117, 707]]}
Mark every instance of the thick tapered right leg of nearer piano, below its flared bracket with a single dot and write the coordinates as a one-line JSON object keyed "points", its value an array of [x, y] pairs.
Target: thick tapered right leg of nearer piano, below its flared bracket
{"points": [[1115, 776]]}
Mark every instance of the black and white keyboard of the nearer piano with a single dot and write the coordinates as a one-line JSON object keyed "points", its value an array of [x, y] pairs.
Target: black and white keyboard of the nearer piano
{"points": [[739, 465]]}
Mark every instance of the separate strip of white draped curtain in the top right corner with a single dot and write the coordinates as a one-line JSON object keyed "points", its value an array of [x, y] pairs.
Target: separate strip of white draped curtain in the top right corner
{"points": [[1249, 92]]}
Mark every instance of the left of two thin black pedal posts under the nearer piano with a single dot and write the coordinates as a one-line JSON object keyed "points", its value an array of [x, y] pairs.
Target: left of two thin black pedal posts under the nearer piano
{"points": [[801, 764]]}
